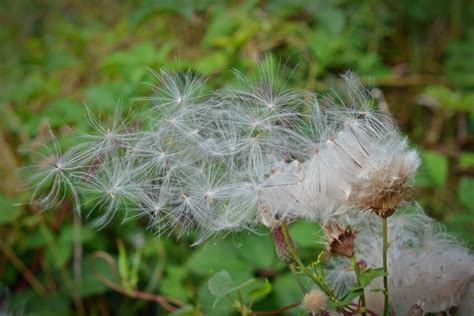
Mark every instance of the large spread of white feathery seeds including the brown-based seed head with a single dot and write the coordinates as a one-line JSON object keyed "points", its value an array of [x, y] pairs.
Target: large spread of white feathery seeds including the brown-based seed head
{"points": [[234, 158]]}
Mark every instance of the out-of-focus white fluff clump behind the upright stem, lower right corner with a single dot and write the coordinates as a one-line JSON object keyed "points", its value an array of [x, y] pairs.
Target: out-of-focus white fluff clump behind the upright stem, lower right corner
{"points": [[425, 264]]}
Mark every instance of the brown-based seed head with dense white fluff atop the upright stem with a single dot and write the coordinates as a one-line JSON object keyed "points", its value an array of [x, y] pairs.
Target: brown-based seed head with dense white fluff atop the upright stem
{"points": [[370, 154]]}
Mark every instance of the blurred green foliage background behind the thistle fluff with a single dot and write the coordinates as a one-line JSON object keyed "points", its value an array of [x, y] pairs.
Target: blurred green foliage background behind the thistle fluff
{"points": [[57, 56]]}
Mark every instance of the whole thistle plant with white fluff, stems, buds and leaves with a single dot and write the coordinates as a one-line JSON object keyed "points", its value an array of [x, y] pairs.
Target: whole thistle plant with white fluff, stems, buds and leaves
{"points": [[258, 153]]}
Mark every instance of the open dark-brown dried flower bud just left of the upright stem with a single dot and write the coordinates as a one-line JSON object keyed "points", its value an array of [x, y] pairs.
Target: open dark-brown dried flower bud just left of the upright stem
{"points": [[341, 240]]}
